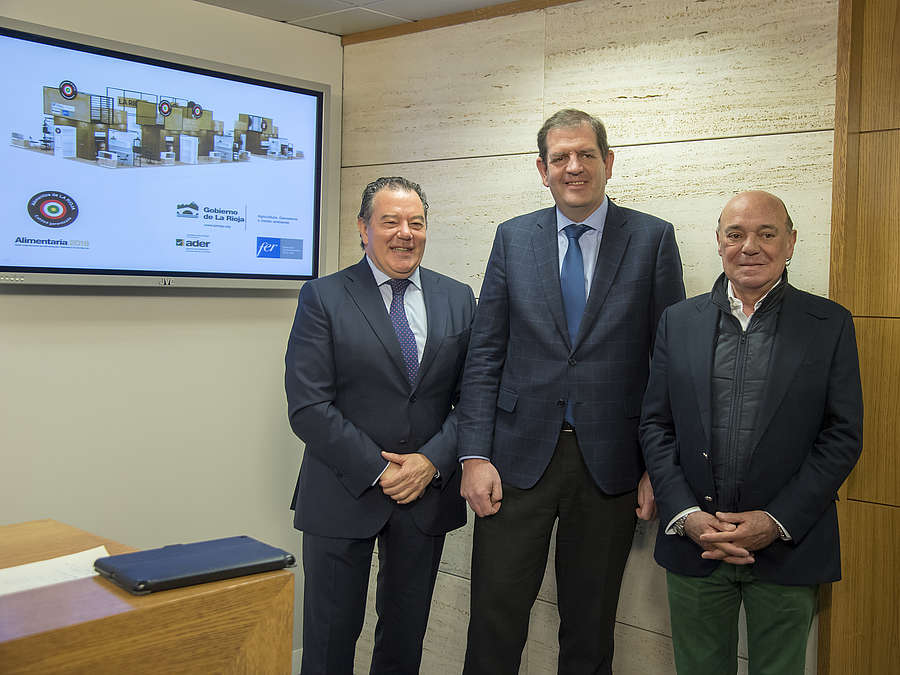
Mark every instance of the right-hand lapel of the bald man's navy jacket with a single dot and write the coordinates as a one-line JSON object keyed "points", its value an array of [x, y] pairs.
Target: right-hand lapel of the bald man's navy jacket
{"points": [[796, 327]]}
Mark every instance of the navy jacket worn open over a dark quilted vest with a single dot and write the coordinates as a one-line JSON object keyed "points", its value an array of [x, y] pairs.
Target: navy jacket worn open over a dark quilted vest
{"points": [[807, 437]]}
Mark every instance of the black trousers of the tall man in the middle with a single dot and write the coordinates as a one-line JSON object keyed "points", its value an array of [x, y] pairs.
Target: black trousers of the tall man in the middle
{"points": [[509, 555]]}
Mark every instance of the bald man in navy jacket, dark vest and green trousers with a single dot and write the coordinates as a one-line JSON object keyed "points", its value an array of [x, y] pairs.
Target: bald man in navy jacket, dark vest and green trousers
{"points": [[751, 421]]}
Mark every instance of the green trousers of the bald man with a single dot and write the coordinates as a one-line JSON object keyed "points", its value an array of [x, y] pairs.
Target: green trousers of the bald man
{"points": [[704, 613]]}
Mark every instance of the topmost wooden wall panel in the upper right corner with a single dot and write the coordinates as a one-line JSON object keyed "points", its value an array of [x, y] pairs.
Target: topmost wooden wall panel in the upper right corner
{"points": [[880, 66]]}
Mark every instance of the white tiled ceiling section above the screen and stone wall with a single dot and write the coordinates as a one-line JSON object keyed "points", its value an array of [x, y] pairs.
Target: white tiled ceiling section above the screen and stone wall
{"points": [[342, 17]]}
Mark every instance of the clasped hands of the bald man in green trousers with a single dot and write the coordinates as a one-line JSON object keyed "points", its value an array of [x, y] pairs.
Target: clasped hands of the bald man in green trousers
{"points": [[731, 537]]}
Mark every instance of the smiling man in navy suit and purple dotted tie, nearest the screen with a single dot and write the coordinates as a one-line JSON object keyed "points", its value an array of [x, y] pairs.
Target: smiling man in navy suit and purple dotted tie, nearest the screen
{"points": [[372, 373]]}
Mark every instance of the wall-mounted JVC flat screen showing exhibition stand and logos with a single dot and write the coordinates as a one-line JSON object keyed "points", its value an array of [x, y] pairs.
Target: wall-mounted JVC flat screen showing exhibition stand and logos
{"points": [[124, 168]]}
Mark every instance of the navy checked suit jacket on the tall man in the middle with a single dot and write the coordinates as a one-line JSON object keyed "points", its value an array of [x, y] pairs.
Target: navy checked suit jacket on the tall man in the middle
{"points": [[523, 367]]}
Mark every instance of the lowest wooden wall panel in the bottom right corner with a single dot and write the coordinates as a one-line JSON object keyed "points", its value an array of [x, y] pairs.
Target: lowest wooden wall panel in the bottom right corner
{"points": [[863, 607]]}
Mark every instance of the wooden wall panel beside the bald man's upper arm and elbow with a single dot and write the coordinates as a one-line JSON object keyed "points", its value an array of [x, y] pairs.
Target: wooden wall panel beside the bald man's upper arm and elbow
{"points": [[876, 477]]}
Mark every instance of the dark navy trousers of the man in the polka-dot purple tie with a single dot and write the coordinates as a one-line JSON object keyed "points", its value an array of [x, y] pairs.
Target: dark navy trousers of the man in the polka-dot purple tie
{"points": [[336, 580]]}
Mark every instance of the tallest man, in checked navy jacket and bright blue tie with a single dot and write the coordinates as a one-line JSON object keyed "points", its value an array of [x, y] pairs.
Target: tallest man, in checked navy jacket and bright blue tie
{"points": [[557, 365]]}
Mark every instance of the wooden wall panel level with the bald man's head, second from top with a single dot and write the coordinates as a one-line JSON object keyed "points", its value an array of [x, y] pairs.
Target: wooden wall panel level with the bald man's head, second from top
{"points": [[872, 275]]}
